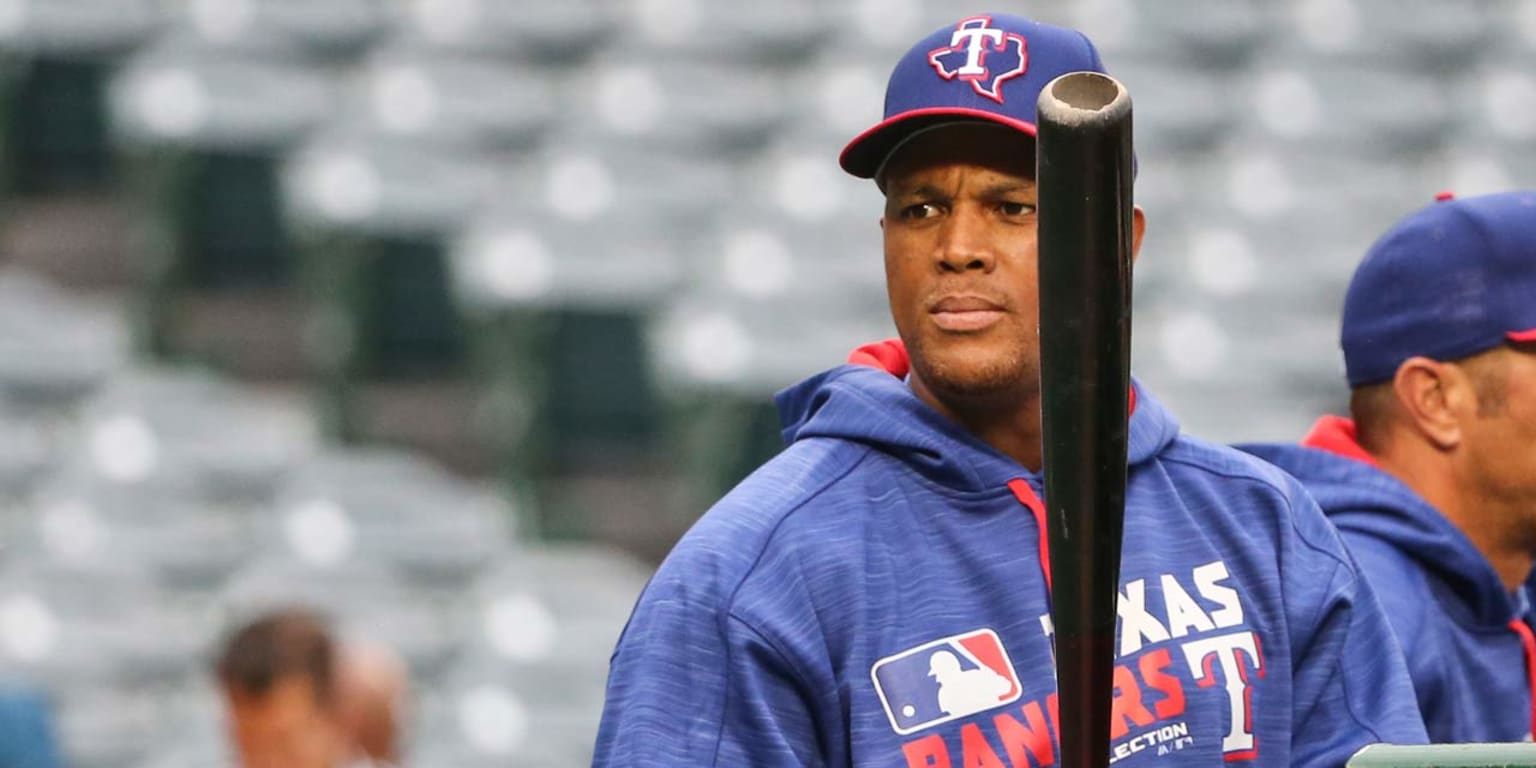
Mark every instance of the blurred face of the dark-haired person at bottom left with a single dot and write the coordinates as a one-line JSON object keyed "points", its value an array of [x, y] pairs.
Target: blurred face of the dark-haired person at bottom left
{"points": [[286, 727]]}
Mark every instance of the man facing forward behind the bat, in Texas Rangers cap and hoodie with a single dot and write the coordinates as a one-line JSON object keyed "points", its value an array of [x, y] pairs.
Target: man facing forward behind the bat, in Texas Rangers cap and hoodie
{"points": [[879, 594]]}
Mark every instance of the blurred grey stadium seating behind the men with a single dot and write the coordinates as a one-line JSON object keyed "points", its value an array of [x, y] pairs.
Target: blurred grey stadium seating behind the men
{"points": [[451, 316]]}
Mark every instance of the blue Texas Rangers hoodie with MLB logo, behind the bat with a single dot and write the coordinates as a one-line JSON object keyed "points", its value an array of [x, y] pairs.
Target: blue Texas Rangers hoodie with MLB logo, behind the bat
{"points": [[876, 597]]}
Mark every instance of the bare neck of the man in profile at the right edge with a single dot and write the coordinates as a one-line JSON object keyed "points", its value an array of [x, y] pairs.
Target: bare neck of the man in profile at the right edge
{"points": [[1492, 528]]}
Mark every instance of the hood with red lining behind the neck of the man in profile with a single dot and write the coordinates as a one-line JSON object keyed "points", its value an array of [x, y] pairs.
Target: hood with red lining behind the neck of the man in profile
{"points": [[1363, 500]]}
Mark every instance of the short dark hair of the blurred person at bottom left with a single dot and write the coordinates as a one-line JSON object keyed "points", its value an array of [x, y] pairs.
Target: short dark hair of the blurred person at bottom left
{"points": [[291, 643]]}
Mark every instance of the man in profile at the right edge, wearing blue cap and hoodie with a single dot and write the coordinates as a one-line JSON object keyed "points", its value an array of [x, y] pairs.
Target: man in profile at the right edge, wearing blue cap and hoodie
{"points": [[1434, 482]]}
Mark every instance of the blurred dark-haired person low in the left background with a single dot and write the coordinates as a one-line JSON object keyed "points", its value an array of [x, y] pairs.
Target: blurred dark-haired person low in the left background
{"points": [[297, 698]]}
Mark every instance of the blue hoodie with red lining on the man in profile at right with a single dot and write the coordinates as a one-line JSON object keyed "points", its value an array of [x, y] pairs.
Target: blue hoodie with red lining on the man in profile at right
{"points": [[1465, 635]]}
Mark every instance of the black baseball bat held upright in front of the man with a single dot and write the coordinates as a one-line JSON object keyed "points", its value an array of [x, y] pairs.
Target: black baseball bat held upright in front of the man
{"points": [[1085, 174]]}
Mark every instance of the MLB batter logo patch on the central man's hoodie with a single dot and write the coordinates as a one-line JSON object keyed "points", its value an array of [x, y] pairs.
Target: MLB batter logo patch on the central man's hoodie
{"points": [[945, 680]]}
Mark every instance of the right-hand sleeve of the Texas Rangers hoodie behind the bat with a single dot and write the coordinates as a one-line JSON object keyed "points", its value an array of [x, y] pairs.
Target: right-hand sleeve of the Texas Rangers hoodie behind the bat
{"points": [[1351, 684]]}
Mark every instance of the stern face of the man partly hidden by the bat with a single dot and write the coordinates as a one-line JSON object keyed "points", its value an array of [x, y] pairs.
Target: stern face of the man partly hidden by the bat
{"points": [[961, 263]]}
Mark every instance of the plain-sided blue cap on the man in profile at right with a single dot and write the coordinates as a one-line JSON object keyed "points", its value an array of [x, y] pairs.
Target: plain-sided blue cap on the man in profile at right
{"points": [[1448, 282]]}
